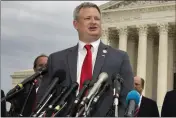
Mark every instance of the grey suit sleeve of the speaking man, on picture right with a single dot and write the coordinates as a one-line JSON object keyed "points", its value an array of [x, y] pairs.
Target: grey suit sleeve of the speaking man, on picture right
{"points": [[127, 75]]}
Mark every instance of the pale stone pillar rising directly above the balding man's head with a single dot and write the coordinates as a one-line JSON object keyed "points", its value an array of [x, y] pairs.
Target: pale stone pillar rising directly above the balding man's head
{"points": [[142, 52]]}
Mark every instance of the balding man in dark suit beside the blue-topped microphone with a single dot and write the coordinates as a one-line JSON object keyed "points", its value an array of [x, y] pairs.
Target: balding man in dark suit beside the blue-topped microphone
{"points": [[146, 107]]}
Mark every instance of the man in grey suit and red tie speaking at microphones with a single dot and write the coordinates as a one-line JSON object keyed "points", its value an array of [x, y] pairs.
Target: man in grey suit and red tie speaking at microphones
{"points": [[99, 58]]}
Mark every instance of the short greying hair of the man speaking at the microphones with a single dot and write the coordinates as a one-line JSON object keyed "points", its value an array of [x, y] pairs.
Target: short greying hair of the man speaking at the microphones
{"points": [[84, 5]]}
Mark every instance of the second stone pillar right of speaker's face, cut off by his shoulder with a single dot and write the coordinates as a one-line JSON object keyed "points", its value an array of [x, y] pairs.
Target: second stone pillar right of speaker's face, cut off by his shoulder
{"points": [[123, 32]]}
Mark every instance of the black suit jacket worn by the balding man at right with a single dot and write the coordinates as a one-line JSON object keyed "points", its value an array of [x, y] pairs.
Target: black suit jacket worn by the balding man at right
{"points": [[148, 108]]}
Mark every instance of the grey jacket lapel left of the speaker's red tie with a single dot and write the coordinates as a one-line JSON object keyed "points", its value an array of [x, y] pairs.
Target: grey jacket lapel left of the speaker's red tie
{"points": [[72, 62]]}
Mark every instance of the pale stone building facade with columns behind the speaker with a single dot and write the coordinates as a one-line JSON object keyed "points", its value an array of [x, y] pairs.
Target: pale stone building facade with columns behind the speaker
{"points": [[146, 31]]}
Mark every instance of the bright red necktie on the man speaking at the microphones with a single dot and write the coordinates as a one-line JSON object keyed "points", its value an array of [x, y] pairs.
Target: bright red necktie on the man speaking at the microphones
{"points": [[86, 71]]}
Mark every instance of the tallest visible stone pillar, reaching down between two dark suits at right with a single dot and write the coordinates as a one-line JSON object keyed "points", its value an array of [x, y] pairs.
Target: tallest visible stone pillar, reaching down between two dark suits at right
{"points": [[162, 63]]}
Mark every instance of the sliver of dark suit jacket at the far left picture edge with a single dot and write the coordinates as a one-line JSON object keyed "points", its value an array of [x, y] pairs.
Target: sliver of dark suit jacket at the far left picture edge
{"points": [[3, 105]]}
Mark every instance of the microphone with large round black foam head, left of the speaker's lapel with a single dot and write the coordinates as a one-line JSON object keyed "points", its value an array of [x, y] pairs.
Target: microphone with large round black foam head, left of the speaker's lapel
{"points": [[59, 76]]}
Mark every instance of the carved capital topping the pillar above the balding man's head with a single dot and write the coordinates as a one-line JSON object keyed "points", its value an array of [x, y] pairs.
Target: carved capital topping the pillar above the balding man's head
{"points": [[142, 29]]}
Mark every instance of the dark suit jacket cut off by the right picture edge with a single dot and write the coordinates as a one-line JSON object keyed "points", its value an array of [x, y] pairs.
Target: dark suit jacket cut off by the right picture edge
{"points": [[169, 105]]}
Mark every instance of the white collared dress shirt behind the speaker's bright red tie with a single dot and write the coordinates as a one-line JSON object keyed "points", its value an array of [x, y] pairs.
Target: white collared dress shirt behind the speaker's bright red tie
{"points": [[82, 54]]}
